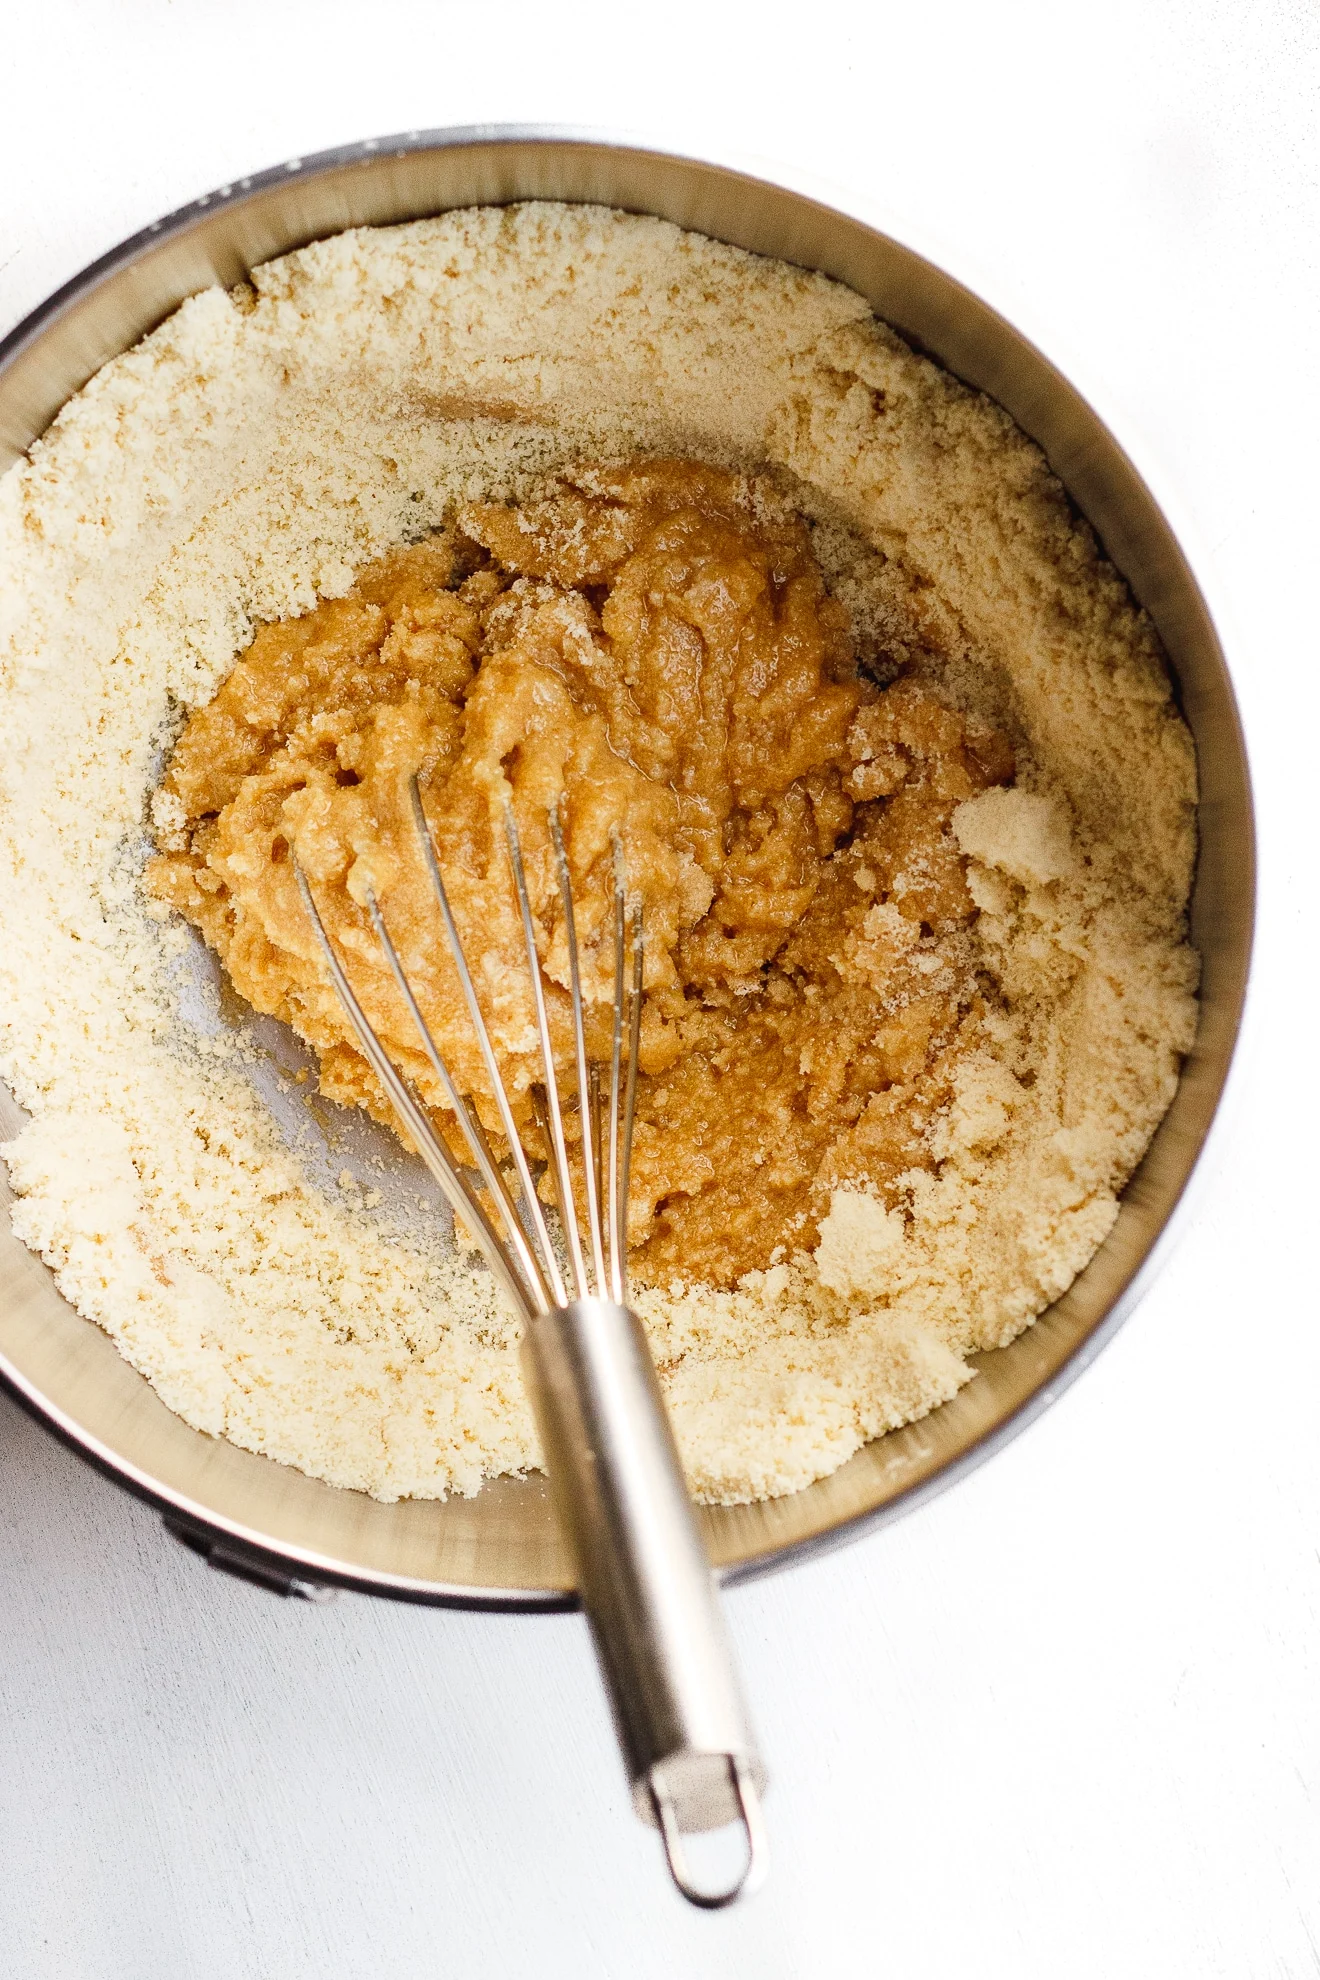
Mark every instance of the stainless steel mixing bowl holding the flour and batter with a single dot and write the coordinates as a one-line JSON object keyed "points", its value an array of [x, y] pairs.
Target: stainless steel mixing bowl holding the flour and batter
{"points": [[502, 1549]]}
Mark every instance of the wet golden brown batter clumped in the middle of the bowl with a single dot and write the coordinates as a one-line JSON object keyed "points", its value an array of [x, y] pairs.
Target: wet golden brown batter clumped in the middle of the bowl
{"points": [[656, 646]]}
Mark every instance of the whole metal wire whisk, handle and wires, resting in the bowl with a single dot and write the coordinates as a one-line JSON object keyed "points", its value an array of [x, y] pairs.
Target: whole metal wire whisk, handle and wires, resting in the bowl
{"points": [[611, 1454]]}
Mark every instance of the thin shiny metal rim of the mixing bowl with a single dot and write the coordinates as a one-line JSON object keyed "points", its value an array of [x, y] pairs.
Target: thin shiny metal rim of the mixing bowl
{"points": [[213, 1528]]}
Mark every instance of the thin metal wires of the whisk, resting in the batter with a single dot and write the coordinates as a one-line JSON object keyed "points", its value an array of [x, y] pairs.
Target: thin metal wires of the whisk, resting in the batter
{"points": [[516, 1238]]}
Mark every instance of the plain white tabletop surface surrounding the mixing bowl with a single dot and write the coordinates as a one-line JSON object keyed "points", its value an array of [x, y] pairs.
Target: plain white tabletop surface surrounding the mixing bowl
{"points": [[1066, 1722]]}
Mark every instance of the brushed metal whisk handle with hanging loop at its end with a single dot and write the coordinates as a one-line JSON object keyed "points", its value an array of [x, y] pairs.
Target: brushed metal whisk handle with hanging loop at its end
{"points": [[644, 1575]]}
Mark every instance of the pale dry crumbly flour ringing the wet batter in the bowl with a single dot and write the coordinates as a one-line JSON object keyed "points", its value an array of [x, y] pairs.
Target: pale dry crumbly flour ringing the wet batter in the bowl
{"points": [[250, 458]]}
